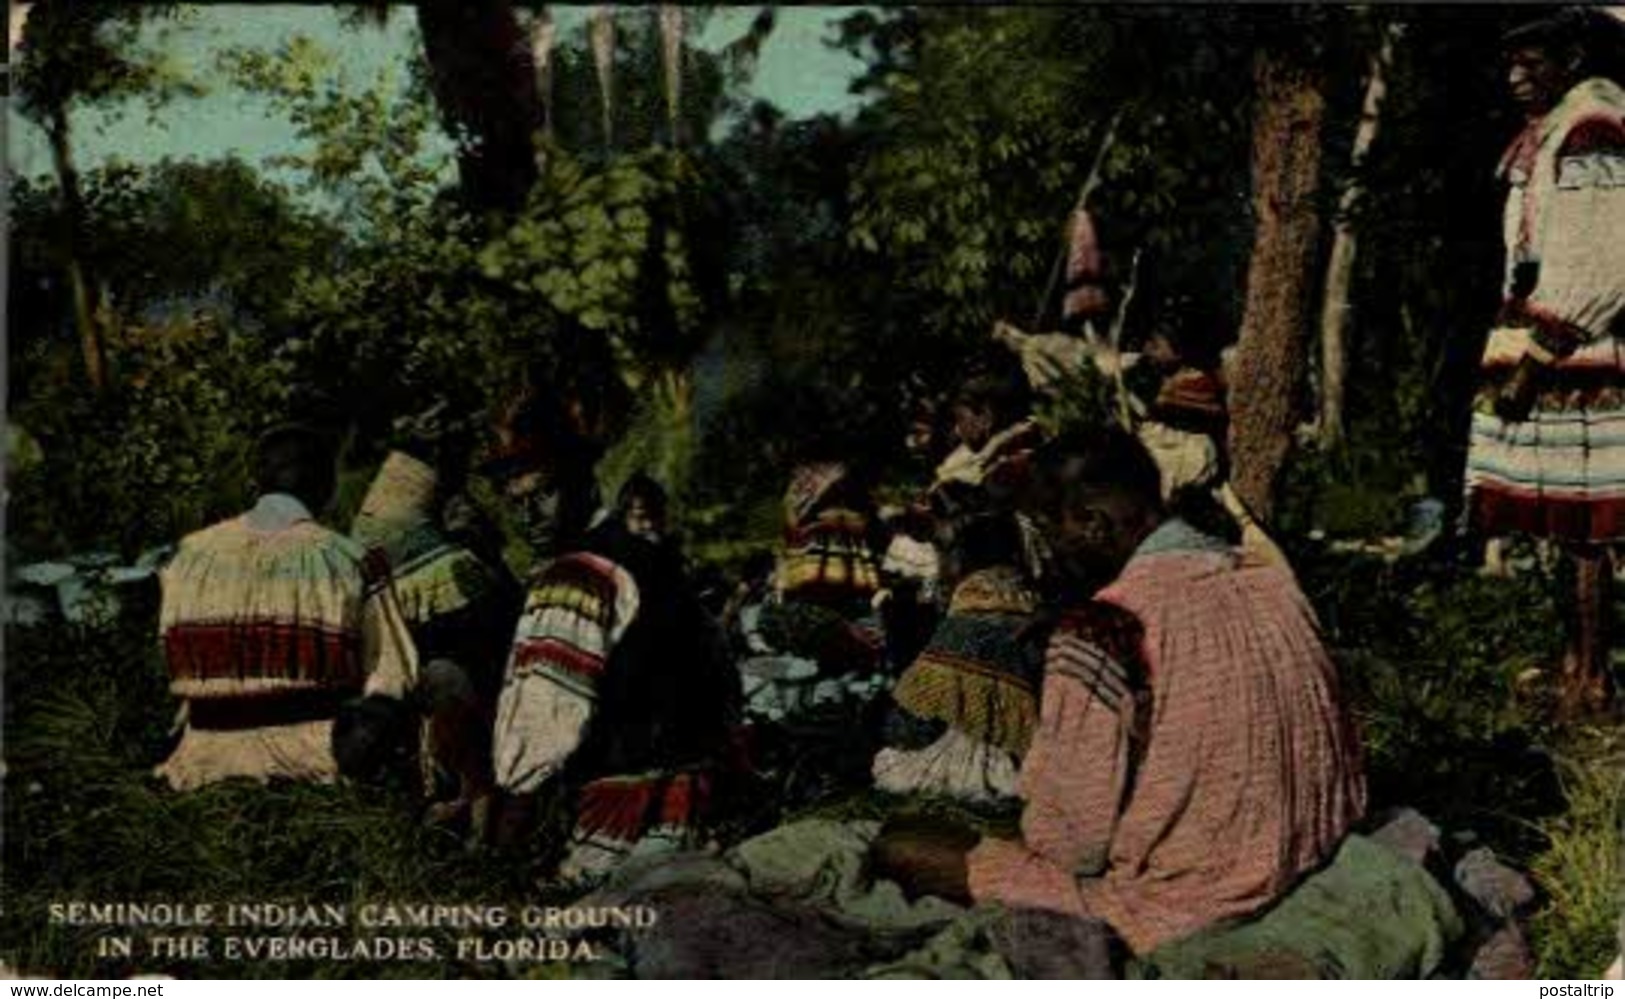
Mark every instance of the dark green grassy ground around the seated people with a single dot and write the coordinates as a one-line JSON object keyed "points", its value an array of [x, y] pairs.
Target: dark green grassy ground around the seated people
{"points": [[1445, 672]]}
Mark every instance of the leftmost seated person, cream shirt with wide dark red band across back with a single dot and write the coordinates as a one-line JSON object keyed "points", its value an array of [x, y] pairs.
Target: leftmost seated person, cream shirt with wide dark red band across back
{"points": [[271, 623]]}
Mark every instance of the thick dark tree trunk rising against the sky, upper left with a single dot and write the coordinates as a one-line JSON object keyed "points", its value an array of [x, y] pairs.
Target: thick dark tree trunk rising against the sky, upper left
{"points": [[485, 82]]}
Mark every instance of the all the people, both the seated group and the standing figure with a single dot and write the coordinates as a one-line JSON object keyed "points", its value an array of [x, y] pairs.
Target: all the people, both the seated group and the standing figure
{"points": [[1085, 626]]}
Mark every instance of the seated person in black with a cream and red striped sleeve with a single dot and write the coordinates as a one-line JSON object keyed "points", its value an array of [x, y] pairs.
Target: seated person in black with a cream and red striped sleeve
{"points": [[615, 699]]}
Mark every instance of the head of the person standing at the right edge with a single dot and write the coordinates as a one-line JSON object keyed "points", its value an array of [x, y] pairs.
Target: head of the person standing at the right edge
{"points": [[1548, 58]]}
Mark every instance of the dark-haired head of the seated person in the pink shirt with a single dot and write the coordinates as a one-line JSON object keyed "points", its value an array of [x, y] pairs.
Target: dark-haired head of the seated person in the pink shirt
{"points": [[1094, 496]]}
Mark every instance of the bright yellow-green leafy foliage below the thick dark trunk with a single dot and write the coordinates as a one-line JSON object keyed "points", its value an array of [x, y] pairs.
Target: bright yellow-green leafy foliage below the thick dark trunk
{"points": [[594, 280]]}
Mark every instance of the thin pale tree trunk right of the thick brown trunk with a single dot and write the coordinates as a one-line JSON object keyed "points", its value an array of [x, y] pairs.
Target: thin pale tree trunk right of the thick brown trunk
{"points": [[1337, 309]]}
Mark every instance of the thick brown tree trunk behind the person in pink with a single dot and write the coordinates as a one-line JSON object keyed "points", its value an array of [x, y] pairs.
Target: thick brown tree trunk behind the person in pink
{"points": [[1270, 360]]}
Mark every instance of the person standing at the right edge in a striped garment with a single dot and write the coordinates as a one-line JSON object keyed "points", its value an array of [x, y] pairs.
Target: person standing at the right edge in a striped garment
{"points": [[1548, 452]]}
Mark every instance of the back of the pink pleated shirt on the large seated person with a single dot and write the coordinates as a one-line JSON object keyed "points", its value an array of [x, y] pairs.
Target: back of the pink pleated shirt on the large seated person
{"points": [[1250, 774]]}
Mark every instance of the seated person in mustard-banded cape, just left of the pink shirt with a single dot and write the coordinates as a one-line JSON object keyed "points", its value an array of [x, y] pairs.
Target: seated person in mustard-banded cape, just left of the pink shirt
{"points": [[968, 706]]}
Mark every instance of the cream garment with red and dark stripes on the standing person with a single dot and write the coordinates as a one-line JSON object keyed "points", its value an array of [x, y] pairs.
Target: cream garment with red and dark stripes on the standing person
{"points": [[1562, 472]]}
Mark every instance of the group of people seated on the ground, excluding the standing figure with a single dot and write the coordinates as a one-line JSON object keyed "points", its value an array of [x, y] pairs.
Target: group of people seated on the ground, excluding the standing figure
{"points": [[1151, 696]]}
